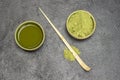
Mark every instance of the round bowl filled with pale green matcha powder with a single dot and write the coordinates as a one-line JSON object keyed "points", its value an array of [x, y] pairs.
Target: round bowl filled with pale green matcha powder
{"points": [[80, 24]]}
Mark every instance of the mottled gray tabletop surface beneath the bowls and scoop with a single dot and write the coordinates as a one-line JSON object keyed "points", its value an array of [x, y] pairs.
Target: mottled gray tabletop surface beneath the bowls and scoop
{"points": [[101, 51]]}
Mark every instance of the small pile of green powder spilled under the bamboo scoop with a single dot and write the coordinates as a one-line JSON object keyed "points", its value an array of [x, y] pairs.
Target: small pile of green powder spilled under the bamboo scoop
{"points": [[68, 55]]}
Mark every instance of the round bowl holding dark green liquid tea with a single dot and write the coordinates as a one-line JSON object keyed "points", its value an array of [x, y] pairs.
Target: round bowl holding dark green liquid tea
{"points": [[29, 35]]}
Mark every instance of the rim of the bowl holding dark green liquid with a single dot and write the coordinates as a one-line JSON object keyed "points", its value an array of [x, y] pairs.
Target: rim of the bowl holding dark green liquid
{"points": [[17, 29]]}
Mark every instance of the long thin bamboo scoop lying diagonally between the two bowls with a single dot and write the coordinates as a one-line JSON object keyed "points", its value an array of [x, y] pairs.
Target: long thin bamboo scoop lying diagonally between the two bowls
{"points": [[80, 61]]}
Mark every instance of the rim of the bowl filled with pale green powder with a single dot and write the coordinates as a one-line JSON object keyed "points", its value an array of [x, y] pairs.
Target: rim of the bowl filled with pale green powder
{"points": [[94, 22]]}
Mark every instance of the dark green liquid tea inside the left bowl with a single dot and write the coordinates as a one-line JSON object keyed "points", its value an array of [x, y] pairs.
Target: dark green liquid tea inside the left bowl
{"points": [[30, 36]]}
